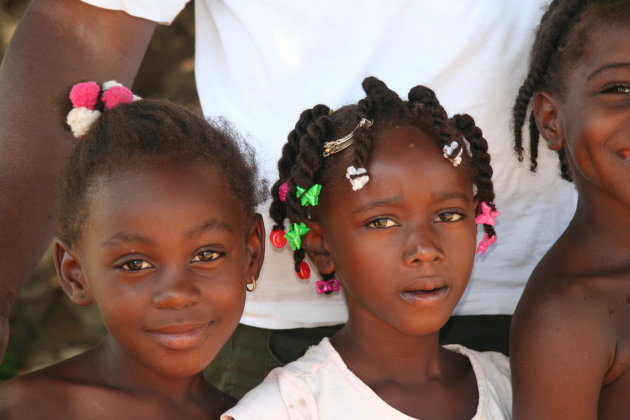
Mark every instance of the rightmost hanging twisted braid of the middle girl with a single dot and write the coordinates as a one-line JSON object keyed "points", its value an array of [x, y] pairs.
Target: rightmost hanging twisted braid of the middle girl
{"points": [[480, 161]]}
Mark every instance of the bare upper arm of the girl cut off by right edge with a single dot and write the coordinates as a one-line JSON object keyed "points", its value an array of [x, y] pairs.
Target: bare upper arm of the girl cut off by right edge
{"points": [[559, 354]]}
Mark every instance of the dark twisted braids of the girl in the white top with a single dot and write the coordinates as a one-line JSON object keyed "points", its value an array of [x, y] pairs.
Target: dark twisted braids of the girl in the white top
{"points": [[302, 163]]}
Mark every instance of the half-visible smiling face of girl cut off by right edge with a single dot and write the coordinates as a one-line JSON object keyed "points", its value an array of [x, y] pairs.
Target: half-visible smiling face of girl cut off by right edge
{"points": [[595, 112]]}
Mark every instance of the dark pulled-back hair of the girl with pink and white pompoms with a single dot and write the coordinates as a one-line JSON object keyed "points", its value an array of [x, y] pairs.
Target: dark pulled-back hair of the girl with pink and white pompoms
{"points": [[146, 131]]}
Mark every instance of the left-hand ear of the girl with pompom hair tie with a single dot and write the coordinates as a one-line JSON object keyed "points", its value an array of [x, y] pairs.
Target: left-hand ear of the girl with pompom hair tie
{"points": [[71, 277]]}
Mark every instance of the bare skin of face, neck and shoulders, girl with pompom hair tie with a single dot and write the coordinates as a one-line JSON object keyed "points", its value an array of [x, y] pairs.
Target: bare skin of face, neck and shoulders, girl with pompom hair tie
{"points": [[165, 253]]}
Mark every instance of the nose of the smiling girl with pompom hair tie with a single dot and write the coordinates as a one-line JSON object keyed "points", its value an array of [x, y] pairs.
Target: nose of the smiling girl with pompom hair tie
{"points": [[177, 290]]}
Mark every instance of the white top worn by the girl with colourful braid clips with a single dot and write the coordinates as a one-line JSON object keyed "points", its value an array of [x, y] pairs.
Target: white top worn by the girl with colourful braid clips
{"points": [[320, 386]]}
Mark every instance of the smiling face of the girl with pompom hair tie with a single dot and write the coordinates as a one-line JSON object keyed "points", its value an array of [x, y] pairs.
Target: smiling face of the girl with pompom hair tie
{"points": [[165, 253]]}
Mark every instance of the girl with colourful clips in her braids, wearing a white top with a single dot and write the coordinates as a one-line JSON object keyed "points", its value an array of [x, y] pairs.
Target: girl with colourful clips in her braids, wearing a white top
{"points": [[383, 196]]}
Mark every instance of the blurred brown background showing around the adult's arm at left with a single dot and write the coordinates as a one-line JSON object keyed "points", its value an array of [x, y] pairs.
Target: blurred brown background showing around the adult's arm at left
{"points": [[45, 326]]}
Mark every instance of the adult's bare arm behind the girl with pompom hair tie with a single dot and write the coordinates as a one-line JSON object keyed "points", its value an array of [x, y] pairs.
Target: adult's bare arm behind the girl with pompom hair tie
{"points": [[57, 43]]}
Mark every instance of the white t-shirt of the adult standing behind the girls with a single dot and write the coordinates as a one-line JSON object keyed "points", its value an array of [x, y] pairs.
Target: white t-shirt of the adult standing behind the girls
{"points": [[260, 63]]}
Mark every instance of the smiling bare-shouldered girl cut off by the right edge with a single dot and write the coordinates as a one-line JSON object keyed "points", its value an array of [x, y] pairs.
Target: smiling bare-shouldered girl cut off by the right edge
{"points": [[570, 342]]}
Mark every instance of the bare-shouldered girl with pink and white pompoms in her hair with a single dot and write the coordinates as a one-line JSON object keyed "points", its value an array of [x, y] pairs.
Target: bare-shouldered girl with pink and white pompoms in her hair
{"points": [[158, 229]]}
